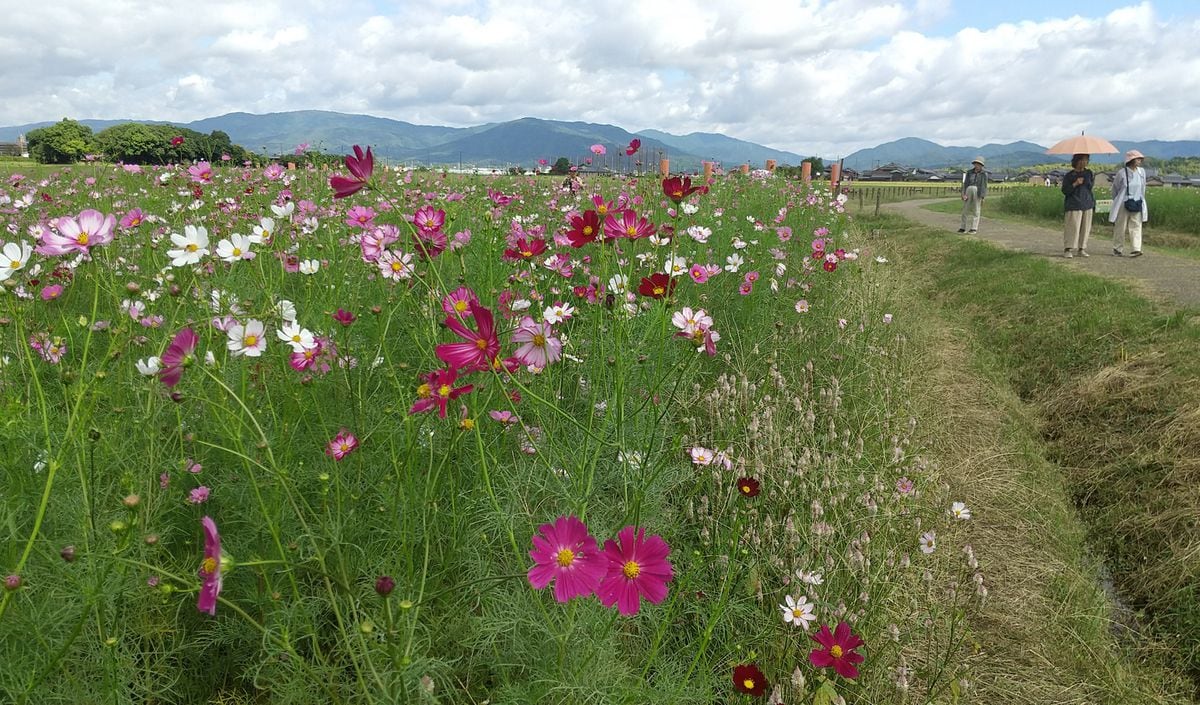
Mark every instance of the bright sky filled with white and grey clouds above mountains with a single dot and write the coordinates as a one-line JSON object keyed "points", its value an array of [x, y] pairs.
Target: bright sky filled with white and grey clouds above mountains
{"points": [[809, 76]]}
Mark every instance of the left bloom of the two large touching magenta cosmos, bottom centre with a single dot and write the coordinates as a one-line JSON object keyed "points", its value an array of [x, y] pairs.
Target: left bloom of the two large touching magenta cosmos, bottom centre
{"points": [[566, 553]]}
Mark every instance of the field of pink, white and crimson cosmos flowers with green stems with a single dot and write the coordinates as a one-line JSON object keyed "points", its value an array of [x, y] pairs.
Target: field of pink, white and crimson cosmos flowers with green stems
{"points": [[286, 436]]}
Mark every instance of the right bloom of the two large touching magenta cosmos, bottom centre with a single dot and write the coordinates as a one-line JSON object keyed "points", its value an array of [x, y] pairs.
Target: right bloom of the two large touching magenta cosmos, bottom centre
{"points": [[638, 568]]}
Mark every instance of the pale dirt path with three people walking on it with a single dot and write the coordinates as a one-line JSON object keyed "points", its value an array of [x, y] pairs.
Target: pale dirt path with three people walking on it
{"points": [[1166, 278]]}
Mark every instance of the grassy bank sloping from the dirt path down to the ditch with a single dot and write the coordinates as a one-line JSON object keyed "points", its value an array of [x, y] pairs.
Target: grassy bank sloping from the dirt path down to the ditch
{"points": [[1112, 389]]}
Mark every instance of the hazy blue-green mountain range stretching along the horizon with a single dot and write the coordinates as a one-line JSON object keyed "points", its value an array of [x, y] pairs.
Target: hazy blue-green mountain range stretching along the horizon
{"points": [[526, 141]]}
